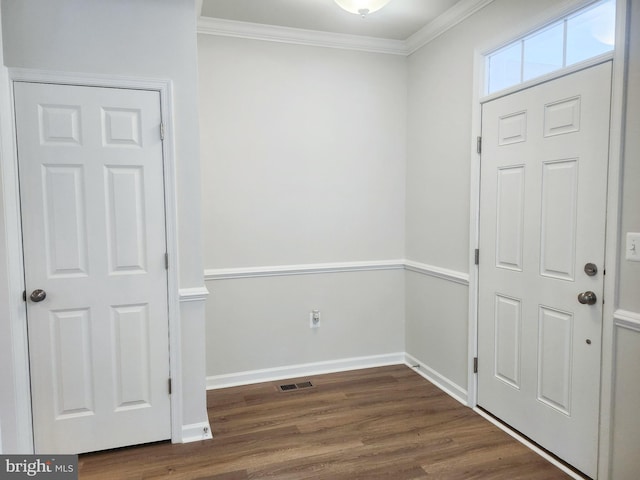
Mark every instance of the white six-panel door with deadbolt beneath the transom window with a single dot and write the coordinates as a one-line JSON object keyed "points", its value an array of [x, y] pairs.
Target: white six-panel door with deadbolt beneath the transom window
{"points": [[542, 226]]}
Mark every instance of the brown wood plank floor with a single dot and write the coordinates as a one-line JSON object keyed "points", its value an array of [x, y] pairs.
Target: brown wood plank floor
{"points": [[377, 424]]}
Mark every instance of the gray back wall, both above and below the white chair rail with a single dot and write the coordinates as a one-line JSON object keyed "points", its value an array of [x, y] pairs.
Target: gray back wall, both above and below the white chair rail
{"points": [[303, 154]]}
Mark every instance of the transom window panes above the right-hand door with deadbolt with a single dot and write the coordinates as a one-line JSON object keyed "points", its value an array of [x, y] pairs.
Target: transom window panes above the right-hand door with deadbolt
{"points": [[578, 37]]}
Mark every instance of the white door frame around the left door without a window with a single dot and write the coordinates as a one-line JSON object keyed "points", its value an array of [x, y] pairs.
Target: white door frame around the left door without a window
{"points": [[18, 318]]}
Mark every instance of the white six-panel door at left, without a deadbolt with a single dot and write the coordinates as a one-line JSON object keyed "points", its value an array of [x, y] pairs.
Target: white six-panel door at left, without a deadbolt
{"points": [[92, 198]]}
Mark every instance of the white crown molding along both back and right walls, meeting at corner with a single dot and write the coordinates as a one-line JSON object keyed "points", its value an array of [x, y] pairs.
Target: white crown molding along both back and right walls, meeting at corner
{"points": [[300, 36]]}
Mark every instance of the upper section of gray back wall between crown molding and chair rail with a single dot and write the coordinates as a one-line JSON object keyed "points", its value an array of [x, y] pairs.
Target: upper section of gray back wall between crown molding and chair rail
{"points": [[303, 153]]}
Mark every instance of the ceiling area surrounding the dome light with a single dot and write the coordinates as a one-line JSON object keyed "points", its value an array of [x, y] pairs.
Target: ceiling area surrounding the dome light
{"points": [[399, 20]]}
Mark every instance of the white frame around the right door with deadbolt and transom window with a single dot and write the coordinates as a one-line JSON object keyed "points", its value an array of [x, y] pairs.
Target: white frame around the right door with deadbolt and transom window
{"points": [[614, 188]]}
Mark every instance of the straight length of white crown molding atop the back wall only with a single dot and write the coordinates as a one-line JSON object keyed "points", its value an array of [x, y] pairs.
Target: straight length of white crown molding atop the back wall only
{"points": [[298, 36]]}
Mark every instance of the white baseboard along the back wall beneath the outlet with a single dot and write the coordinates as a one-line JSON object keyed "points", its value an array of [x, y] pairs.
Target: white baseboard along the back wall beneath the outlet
{"points": [[303, 370]]}
